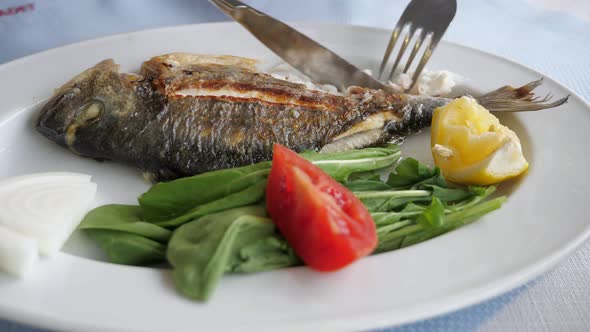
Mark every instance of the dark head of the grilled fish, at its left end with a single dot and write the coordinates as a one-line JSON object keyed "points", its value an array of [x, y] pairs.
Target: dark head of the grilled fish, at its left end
{"points": [[84, 100]]}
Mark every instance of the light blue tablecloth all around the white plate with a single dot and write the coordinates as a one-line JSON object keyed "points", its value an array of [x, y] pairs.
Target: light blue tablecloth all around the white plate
{"points": [[556, 43]]}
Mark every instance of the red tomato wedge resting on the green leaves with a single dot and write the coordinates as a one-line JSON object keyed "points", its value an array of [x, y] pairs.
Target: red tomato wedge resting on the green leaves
{"points": [[323, 221]]}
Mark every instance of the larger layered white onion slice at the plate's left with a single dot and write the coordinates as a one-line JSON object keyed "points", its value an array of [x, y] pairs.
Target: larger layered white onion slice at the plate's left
{"points": [[46, 207]]}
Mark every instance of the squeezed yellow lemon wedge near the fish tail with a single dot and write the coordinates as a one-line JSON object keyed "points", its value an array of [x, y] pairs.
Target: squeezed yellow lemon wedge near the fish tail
{"points": [[471, 146]]}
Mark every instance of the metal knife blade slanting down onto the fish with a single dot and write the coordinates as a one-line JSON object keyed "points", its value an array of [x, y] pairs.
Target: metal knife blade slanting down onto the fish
{"points": [[306, 55]]}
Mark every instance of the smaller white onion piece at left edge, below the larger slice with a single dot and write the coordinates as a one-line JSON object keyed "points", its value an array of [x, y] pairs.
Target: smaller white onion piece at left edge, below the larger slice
{"points": [[18, 253]]}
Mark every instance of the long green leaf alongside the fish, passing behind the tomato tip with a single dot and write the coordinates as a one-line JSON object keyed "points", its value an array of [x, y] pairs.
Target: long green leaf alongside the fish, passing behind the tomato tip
{"points": [[173, 203]]}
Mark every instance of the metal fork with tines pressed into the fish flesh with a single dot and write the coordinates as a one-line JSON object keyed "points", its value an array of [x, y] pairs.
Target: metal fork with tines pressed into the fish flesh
{"points": [[426, 20]]}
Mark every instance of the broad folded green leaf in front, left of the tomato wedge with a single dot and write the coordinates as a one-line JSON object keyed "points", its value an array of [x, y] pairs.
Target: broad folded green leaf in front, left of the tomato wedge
{"points": [[237, 240]]}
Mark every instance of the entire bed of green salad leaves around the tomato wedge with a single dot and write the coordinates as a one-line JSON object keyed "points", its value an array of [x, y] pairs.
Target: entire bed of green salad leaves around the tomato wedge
{"points": [[215, 223]]}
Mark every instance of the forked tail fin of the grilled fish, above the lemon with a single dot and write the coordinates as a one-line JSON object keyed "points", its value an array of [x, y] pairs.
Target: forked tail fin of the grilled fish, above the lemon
{"points": [[522, 99]]}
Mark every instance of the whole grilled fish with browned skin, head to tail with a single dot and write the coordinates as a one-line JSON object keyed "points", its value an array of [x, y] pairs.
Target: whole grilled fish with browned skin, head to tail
{"points": [[186, 114]]}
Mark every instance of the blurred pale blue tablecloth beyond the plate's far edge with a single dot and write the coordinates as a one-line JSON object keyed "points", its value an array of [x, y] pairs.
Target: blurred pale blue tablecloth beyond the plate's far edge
{"points": [[528, 31]]}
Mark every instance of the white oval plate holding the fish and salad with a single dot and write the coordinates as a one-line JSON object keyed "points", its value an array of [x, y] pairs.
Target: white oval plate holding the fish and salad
{"points": [[543, 220]]}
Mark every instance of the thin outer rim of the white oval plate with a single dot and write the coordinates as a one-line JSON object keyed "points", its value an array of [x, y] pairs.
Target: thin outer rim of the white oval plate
{"points": [[373, 319]]}
